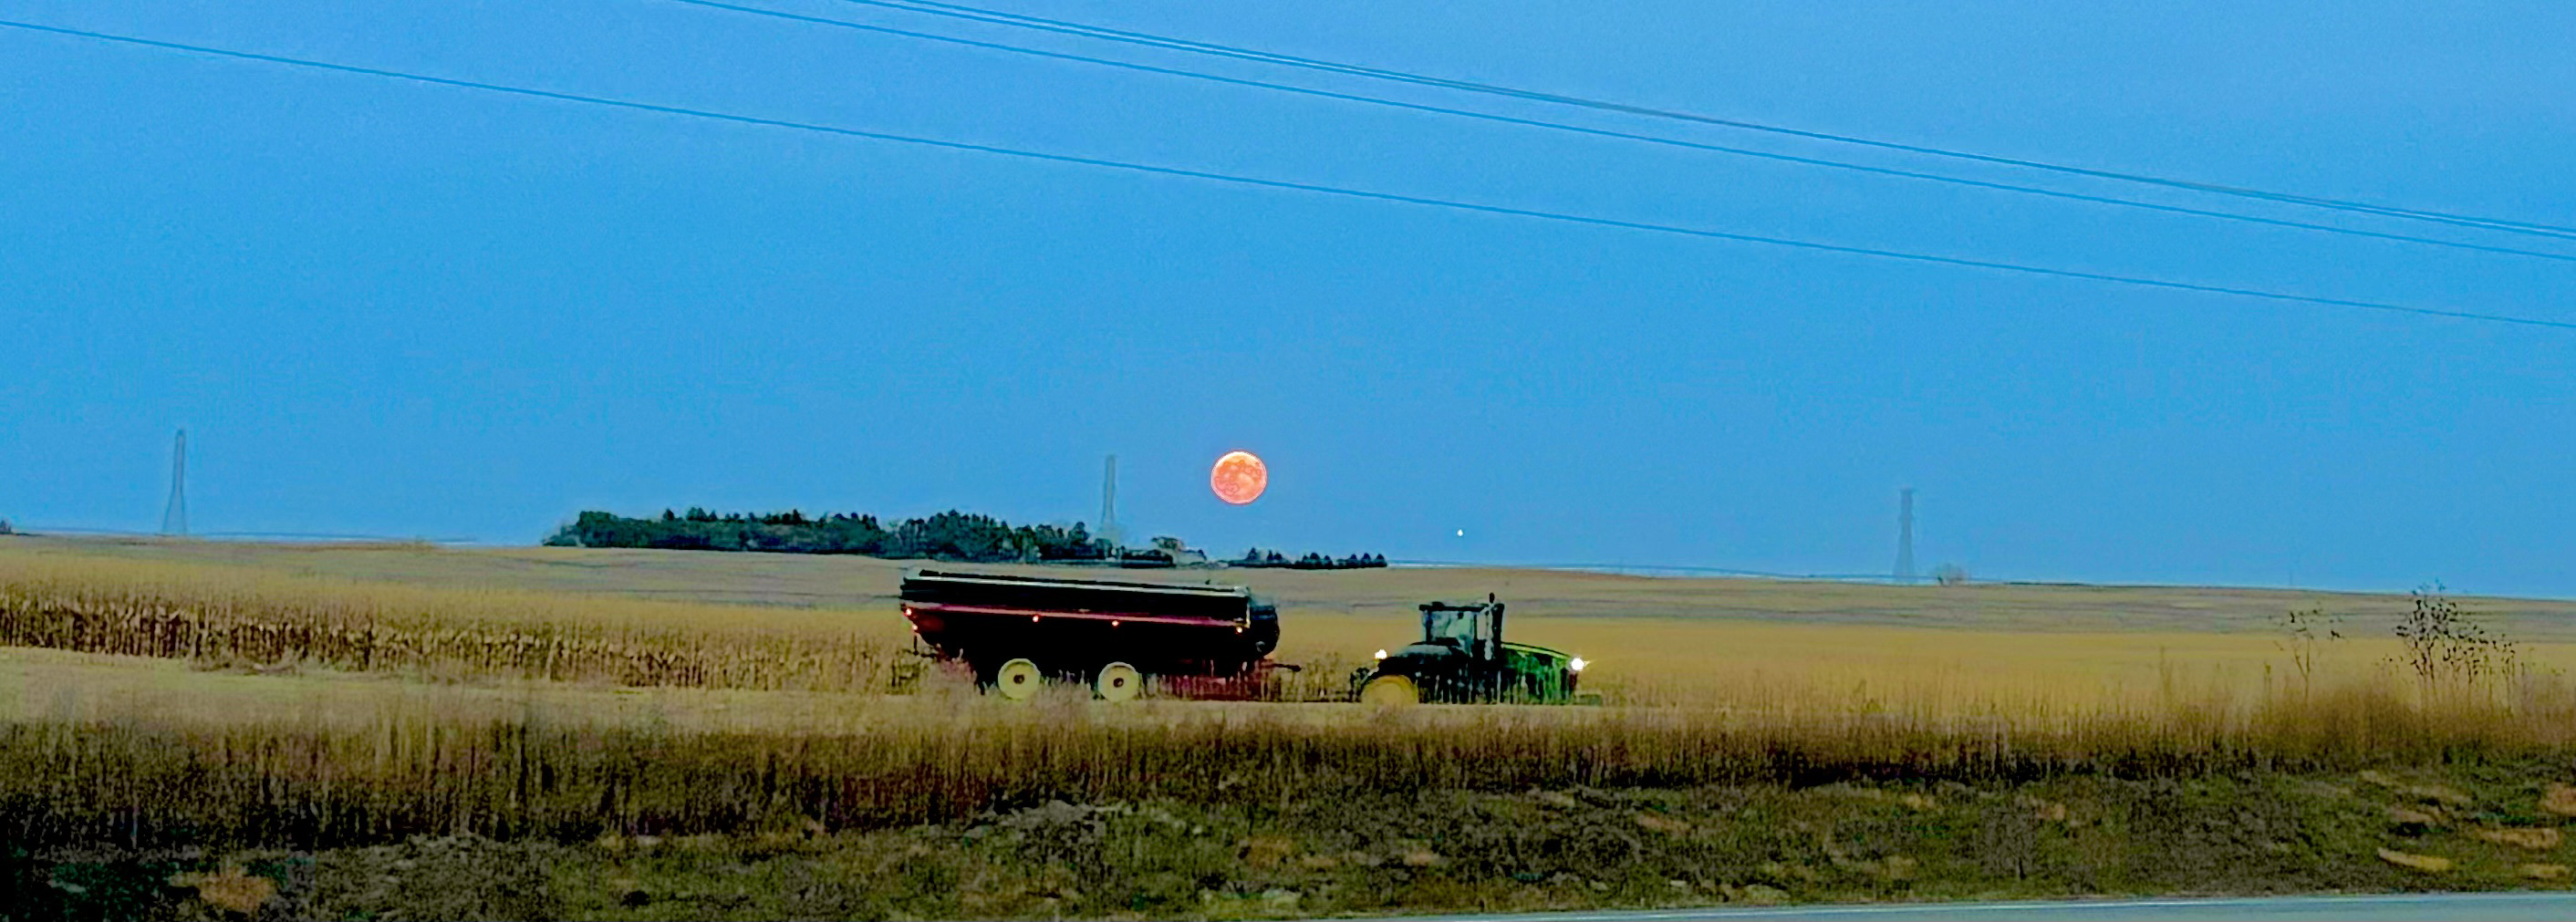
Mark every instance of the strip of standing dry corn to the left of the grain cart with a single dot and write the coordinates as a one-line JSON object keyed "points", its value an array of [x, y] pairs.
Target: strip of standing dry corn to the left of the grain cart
{"points": [[218, 617]]}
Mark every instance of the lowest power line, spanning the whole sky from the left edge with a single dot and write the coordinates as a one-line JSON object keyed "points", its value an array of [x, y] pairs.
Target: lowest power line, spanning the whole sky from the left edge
{"points": [[1310, 187]]}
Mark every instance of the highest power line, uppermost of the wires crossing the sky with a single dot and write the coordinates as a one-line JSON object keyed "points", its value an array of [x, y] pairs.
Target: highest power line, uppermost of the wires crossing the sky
{"points": [[1632, 109]]}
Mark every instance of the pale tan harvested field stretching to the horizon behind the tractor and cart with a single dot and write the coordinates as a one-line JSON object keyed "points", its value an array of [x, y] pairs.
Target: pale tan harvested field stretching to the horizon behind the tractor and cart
{"points": [[800, 581]]}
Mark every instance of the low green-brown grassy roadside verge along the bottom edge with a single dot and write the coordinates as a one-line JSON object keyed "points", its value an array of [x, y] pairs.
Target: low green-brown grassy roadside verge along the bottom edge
{"points": [[2467, 825]]}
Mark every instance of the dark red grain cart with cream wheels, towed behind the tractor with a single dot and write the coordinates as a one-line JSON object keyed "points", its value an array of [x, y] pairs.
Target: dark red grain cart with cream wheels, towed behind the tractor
{"points": [[1117, 637]]}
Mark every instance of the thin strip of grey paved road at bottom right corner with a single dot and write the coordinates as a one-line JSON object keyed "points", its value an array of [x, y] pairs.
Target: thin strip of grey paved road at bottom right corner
{"points": [[2430, 908]]}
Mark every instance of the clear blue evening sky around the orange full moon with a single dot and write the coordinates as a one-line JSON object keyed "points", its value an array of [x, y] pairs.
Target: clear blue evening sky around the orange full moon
{"points": [[413, 310]]}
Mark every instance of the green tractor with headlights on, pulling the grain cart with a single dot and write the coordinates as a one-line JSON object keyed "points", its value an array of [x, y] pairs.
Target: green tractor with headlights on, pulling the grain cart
{"points": [[1464, 661]]}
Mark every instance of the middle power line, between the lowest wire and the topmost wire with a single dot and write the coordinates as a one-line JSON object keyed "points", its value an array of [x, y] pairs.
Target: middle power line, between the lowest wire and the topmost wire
{"points": [[1629, 135]]}
